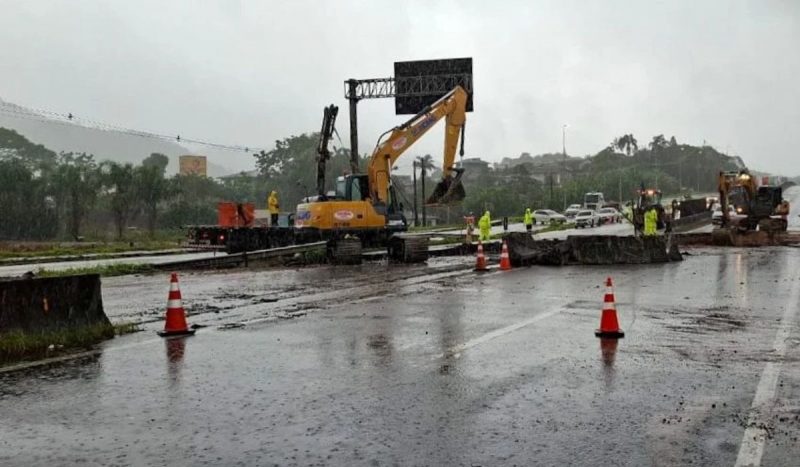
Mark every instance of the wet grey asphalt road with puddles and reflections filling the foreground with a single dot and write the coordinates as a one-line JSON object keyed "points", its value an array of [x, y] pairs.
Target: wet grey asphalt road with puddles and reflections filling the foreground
{"points": [[438, 367]]}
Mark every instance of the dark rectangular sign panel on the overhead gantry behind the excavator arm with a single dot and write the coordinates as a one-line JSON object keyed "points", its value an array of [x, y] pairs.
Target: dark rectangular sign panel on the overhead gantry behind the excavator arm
{"points": [[423, 82]]}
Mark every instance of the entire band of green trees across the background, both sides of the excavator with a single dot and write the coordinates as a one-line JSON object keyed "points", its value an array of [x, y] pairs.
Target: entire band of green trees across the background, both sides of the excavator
{"points": [[48, 195]]}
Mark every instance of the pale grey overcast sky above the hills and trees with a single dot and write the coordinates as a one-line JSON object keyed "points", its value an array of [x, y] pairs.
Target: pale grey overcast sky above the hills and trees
{"points": [[251, 72]]}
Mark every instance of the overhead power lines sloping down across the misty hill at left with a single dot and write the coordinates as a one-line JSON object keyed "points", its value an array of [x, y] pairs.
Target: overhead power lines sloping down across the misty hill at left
{"points": [[70, 119]]}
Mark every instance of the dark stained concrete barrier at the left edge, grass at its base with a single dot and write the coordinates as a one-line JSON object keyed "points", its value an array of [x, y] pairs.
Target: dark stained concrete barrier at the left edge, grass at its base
{"points": [[51, 304]]}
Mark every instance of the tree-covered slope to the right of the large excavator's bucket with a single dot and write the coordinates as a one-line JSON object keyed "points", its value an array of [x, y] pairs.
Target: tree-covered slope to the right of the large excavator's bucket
{"points": [[617, 171]]}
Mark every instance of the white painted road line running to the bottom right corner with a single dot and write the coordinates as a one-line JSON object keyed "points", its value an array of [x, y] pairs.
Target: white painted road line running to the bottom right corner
{"points": [[752, 448]]}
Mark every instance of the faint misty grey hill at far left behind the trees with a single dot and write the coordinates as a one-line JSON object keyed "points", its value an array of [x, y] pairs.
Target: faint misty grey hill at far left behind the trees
{"points": [[61, 136]]}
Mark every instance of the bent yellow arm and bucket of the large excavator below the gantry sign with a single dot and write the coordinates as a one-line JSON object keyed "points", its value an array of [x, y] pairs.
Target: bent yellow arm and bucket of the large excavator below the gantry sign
{"points": [[451, 107]]}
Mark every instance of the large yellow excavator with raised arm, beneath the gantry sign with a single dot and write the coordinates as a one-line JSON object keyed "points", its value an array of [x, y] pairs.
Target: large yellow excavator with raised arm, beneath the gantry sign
{"points": [[366, 207]]}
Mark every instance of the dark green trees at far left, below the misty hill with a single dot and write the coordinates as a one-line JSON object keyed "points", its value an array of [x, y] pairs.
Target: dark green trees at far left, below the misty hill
{"points": [[48, 195]]}
